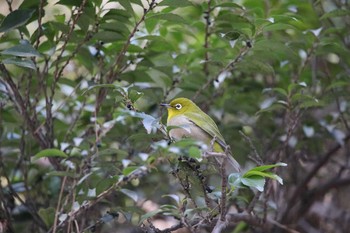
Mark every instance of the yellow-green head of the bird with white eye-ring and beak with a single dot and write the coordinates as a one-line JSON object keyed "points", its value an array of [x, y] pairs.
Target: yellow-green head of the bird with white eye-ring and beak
{"points": [[180, 106]]}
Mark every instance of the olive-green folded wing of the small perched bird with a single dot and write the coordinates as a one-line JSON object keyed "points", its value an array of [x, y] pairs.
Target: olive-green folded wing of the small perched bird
{"points": [[205, 122]]}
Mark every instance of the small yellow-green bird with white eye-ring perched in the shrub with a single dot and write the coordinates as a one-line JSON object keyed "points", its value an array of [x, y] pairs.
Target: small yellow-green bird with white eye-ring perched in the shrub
{"points": [[187, 120]]}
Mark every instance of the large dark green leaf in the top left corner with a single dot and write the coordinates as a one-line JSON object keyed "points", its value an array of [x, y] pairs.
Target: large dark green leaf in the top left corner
{"points": [[15, 19]]}
